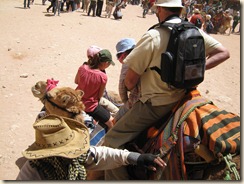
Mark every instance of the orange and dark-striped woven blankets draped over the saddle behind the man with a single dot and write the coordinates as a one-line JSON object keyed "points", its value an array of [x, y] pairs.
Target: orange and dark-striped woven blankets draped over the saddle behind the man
{"points": [[196, 120]]}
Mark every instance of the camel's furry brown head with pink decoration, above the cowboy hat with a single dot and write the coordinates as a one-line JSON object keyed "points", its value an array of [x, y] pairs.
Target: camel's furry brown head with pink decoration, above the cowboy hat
{"points": [[63, 101]]}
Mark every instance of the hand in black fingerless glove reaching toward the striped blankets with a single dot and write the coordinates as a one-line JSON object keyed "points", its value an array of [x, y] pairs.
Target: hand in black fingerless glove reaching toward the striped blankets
{"points": [[150, 161]]}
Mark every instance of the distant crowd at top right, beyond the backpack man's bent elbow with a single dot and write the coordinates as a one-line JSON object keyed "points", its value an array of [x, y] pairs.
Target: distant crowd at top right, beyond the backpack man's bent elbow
{"points": [[204, 14]]}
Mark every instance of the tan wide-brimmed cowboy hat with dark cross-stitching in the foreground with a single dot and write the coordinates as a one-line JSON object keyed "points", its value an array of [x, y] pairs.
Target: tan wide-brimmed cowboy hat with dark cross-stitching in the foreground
{"points": [[58, 136]]}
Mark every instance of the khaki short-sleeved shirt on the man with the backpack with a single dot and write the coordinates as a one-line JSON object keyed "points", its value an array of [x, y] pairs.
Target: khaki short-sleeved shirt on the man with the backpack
{"points": [[146, 54]]}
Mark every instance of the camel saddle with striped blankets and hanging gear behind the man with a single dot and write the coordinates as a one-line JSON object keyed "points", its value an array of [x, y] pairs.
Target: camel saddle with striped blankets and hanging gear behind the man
{"points": [[193, 137]]}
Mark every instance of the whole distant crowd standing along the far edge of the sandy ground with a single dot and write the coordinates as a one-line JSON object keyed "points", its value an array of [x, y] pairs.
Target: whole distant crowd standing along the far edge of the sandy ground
{"points": [[202, 18]]}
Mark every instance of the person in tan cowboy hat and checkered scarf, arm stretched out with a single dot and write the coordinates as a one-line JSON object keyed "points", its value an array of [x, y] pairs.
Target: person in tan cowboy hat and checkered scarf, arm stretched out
{"points": [[62, 151]]}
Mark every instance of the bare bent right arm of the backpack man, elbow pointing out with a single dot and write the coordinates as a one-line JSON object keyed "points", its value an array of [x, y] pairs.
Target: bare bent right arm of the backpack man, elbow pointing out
{"points": [[216, 57]]}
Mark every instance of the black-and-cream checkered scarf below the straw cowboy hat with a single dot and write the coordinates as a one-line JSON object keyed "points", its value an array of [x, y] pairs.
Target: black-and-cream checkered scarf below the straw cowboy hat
{"points": [[60, 168]]}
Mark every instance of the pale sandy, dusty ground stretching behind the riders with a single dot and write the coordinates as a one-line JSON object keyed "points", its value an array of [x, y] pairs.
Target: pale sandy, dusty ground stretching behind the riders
{"points": [[37, 46]]}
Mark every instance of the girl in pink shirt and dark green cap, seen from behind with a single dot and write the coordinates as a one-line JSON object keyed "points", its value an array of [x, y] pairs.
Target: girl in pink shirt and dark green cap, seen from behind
{"points": [[92, 80]]}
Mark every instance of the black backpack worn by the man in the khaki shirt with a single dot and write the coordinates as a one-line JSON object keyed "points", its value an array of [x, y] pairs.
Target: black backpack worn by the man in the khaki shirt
{"points": [[183, 63]]}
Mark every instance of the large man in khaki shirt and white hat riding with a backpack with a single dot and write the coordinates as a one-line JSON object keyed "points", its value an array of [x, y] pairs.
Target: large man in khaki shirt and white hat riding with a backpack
{"points": [[157, 98]]}
